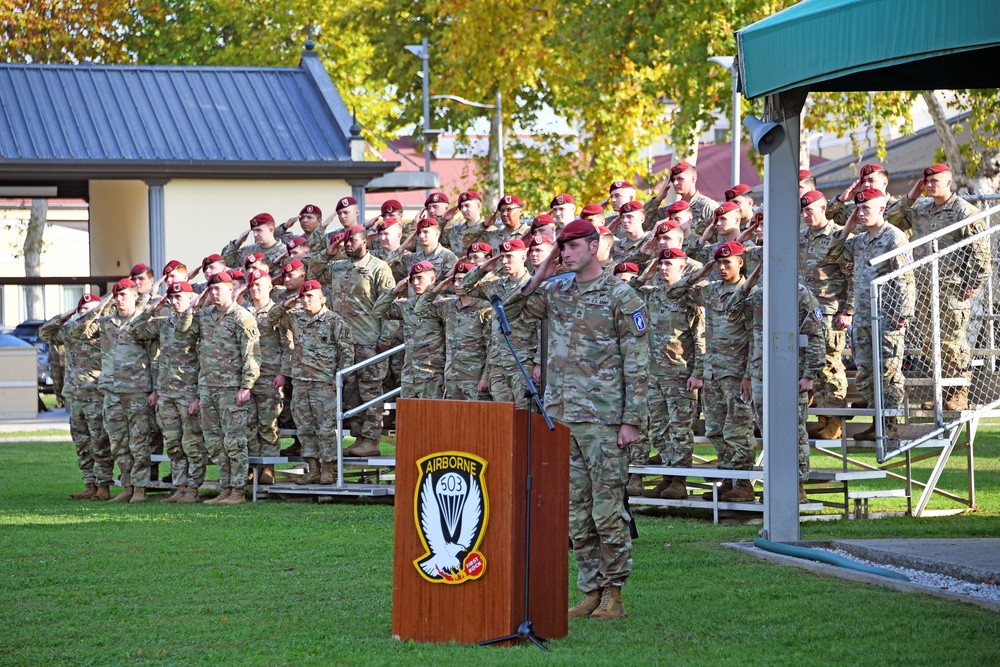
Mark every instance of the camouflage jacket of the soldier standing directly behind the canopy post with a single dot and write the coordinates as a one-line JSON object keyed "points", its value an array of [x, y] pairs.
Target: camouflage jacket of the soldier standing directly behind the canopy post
{"points": [[811, 352]]}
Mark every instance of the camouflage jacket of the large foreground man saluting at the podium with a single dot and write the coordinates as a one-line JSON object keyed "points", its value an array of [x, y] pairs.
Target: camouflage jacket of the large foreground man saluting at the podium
{"points": [[598, 356]]}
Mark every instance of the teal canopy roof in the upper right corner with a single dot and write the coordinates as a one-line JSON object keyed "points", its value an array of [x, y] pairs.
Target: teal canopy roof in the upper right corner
{"points": [[830, 45]]}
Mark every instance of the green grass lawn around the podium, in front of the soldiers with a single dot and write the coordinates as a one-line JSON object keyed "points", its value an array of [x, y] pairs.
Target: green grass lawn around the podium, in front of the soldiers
{"points": [[306, 584]]}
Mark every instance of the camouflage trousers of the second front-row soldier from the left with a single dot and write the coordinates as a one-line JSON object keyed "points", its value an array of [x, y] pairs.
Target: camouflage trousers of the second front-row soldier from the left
{"points": [[128, 421]]}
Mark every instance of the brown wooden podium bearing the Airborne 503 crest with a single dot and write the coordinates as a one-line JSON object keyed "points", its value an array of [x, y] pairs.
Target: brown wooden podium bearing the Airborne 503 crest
{"points": [[488, 600]]}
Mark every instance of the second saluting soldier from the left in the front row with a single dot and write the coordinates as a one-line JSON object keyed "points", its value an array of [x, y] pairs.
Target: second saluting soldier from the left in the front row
{"points": [[126, 380]]}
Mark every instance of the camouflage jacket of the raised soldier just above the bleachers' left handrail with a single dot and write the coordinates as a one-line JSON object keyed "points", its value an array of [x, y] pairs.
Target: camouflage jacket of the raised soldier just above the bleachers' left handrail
{"points": [[355, 286]]}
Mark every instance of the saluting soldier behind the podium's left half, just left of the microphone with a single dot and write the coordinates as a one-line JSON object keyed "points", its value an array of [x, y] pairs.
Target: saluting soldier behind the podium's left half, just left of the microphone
{"points": [[467, 326]]}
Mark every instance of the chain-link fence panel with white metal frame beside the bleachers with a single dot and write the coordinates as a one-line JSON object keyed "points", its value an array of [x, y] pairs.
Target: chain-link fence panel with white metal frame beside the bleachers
{"points": [[935, 330]]}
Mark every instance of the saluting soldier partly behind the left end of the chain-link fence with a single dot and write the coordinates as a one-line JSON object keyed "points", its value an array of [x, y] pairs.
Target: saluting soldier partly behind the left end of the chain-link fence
{"points": [[878, 238]]}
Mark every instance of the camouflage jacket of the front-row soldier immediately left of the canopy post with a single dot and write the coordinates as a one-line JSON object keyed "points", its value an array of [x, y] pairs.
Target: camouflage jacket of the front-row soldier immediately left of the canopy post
{"points": [[727, 340]]}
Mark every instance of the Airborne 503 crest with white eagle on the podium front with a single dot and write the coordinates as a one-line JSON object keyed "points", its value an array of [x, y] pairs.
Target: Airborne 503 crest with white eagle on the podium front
{"points": [[451, 510]]}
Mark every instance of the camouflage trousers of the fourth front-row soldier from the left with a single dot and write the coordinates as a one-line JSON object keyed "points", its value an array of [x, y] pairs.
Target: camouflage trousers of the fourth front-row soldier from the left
{"points": [[226, 426]]}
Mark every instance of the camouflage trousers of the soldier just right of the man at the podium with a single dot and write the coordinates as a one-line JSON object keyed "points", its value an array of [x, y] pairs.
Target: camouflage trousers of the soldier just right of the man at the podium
{"points": [[672, 414]]}
